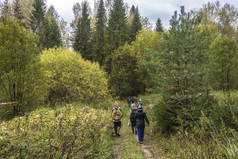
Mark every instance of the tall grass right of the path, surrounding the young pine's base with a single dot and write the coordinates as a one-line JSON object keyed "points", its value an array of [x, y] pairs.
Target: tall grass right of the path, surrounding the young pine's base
{"points": [[214, 137]]}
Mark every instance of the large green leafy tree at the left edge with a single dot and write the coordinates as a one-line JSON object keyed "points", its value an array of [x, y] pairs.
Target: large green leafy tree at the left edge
{"points": [[21, 78]]}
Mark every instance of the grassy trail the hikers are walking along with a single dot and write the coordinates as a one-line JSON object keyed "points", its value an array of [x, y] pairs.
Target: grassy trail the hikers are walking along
{"points": [[127, 146]]}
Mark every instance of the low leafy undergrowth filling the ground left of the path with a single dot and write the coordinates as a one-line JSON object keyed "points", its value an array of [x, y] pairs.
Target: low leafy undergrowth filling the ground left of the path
{"points": [[62, 133]]}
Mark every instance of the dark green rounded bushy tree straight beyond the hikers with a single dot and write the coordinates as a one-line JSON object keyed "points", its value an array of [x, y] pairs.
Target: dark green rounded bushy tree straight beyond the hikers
{"points": [[123, 79]]}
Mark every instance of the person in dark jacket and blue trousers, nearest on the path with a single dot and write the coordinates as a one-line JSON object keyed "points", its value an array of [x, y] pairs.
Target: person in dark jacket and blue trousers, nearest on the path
{"points": [[140, 123]]}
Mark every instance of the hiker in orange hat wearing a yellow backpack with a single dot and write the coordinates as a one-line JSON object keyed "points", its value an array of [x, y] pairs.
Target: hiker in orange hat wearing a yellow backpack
{"points": [[117, 114]]}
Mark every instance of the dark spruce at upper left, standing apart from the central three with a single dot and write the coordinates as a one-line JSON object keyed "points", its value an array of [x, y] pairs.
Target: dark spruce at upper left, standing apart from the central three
{"points": [[38, 22]]}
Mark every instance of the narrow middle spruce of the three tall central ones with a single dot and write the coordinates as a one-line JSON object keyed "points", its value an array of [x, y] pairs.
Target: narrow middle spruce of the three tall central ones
{"points": [[99, 34]]}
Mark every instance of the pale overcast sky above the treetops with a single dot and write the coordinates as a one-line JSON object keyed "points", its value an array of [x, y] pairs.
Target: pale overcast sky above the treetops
{"points": [[153, 9]]}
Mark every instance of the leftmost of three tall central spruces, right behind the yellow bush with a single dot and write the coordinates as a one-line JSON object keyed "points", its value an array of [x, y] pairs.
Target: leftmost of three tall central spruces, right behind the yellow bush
{"points": [[82, 36]]}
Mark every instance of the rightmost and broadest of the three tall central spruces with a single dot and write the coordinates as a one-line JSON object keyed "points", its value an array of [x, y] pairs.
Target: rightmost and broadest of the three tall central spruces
{"points": [[117, 30]]}
